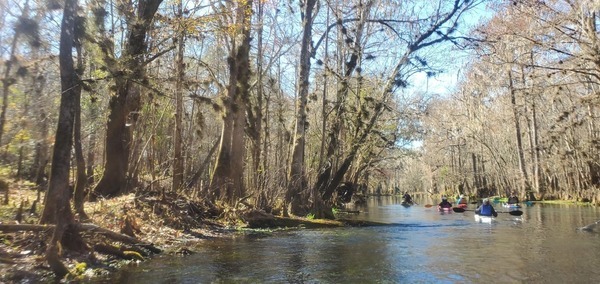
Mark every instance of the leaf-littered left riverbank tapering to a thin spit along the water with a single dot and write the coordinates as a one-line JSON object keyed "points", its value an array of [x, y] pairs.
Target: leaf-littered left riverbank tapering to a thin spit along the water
{"points": [[171, 224]]}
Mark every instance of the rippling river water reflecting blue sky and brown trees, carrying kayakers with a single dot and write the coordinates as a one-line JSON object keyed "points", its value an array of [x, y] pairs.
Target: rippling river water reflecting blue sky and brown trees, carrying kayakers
{"points": [[420, 245]]}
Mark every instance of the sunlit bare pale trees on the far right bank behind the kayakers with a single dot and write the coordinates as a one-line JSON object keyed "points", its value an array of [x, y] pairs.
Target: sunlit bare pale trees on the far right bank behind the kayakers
{"points": [[525, 115]]}
